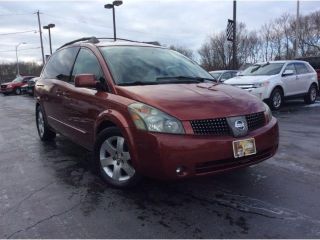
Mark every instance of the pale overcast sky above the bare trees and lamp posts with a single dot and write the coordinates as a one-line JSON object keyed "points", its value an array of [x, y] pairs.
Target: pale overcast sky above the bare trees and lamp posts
{"points": [[178, 22]]}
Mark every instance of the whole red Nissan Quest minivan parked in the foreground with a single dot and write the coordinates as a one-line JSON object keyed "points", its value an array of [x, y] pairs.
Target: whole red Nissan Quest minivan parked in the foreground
{"points": [[145, 110]]}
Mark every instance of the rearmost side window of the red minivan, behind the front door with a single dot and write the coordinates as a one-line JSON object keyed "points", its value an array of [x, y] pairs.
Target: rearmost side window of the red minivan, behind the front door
{"points": [[60, 64]]}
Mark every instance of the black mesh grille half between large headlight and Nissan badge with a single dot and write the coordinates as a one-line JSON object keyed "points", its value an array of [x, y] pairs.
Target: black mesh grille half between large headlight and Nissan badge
{"points": [[217, 126]]}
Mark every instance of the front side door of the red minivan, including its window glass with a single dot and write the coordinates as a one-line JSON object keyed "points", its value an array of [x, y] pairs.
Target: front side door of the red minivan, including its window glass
{"points": [[82, 104]]}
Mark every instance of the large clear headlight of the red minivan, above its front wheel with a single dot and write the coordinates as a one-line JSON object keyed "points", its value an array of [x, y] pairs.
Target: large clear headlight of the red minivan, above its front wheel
{"points": [[151, 119]]}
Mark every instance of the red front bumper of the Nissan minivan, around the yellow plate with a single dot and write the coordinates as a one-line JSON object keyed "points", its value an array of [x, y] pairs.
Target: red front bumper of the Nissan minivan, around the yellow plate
{"points": [[159, 155]]}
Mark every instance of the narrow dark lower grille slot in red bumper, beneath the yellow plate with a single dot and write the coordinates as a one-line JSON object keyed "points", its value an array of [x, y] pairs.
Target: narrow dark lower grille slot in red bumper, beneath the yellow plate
{"points": [[218, 165]]}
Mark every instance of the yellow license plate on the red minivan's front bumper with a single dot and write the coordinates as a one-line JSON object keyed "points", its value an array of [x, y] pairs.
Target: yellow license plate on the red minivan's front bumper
{"points": [[245, 147]]}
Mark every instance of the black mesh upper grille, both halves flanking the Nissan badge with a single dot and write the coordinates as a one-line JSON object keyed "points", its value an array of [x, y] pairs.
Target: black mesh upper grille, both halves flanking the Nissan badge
{"points": [[220, 127]]}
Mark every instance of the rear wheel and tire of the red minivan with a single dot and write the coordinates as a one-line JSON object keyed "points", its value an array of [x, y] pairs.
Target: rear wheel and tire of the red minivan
{"points": [[45, 133]]}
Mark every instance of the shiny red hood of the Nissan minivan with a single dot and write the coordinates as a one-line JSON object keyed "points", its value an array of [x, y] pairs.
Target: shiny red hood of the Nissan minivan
{"points": [[195, 101]]}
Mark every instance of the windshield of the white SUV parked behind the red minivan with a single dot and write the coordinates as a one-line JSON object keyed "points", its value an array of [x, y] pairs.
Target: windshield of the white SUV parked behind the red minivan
{"points": [[263, 69]]}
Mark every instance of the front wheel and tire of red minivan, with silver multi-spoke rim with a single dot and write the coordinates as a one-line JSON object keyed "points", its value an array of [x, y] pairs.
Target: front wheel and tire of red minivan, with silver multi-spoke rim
{"points": [[112, 158]]}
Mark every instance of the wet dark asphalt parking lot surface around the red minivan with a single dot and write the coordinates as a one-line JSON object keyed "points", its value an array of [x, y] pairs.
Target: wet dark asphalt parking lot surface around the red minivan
{"points": [[51, 191]]}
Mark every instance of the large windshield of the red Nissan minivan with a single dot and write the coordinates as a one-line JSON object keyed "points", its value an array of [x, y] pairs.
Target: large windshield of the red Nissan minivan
{"points": [[132, 65]]}
